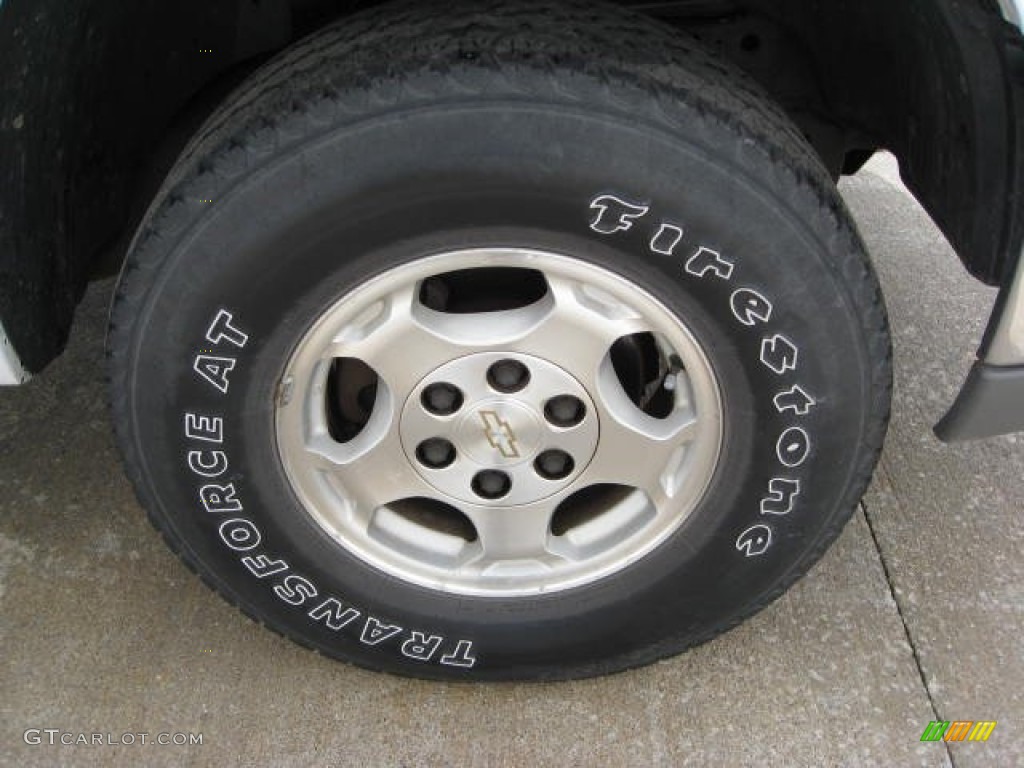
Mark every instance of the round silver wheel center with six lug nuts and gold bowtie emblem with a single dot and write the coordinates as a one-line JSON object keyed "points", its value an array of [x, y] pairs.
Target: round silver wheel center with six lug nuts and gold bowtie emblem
{"points": [[499, 430]]}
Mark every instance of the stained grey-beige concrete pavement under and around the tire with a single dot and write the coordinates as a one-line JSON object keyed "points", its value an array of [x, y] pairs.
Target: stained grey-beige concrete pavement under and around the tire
{"points": [[914, 616]]}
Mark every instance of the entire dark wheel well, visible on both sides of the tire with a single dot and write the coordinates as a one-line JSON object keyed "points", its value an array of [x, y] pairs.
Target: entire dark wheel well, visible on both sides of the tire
{"points": [[107, 95]]}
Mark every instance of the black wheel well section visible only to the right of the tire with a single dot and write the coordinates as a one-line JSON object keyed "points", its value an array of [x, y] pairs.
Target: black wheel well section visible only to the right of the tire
{"points": [[930, 81]]}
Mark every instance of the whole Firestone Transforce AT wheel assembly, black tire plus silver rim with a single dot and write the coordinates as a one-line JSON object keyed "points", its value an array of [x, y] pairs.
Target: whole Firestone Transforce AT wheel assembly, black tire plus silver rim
{"points": [[415, 255]]}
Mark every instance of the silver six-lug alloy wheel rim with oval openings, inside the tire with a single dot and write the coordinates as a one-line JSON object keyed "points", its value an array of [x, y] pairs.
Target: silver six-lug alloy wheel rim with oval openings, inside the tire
{"points": [[549, 432]]}
